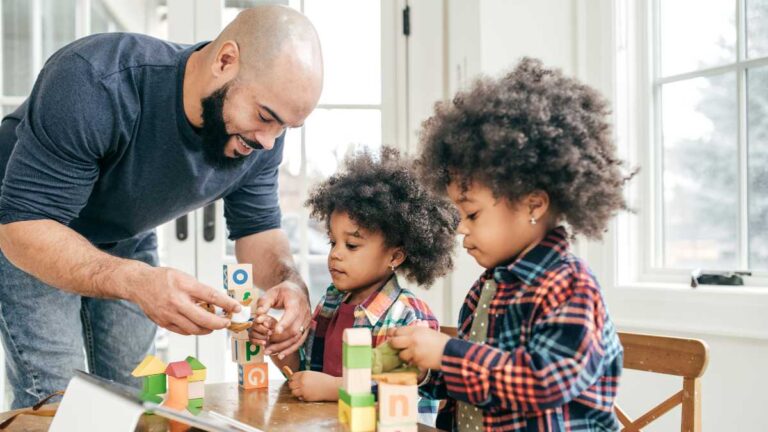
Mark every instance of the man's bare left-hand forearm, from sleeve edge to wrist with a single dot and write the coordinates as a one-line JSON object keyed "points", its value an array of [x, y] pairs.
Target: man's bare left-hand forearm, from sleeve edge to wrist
{"points": [[62, 258]]}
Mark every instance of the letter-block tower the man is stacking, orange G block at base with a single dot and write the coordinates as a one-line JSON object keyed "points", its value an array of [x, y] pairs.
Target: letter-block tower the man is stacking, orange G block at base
{"points": [[252, 371]]}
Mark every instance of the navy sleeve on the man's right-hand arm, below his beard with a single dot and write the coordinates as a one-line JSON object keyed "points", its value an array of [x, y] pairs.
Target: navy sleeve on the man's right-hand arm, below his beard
{"points": [[254, 206]]}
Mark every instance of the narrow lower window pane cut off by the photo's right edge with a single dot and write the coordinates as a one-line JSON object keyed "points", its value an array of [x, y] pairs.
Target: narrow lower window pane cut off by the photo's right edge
{"points": [[757, 118]]}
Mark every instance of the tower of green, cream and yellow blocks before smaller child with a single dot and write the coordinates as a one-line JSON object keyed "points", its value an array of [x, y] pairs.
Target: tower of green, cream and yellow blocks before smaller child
{"points": [[357, 406]]}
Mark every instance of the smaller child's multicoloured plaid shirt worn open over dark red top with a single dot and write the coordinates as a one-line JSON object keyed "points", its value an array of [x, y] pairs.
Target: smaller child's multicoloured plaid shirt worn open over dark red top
{"points": [[392, 306]]}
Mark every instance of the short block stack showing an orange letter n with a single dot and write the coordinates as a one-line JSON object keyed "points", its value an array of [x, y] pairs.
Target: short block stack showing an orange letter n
{"points": [[398, 402]]}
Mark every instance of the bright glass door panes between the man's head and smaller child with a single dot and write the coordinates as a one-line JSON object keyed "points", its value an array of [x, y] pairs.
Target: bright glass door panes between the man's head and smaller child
{"points": [[348, 117]]}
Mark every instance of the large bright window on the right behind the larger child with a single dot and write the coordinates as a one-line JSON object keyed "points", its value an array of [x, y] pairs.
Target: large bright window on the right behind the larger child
{"points": [[707, 203]]}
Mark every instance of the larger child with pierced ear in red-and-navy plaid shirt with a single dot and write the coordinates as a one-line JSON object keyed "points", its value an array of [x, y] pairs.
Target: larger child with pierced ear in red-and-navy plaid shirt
{"points": [[536, 350]]}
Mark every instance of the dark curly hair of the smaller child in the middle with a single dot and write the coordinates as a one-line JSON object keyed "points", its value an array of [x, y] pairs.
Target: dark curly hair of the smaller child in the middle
{"points": [[385, 196]]}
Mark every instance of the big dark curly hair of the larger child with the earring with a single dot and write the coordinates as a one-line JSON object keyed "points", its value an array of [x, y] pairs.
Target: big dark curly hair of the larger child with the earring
{"points": [[533, 129]]}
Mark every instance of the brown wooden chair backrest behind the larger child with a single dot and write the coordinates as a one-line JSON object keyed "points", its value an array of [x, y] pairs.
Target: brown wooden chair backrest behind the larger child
{"points": [[686, 358]]}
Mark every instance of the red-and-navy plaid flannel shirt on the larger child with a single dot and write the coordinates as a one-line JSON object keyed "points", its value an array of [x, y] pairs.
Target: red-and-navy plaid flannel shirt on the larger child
{"points": [[552, 359]]}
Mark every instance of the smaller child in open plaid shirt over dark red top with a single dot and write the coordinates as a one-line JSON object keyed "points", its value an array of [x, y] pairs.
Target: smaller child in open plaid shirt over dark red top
{"points": [[381, 221]]}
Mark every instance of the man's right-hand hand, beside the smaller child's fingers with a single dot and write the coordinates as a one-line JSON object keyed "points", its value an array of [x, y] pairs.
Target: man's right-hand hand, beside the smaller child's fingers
{"points": [[292, 328]]}
